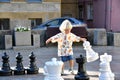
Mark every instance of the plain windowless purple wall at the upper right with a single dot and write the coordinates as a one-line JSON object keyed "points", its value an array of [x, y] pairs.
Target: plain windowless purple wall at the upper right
{"points": [[109, 17]]}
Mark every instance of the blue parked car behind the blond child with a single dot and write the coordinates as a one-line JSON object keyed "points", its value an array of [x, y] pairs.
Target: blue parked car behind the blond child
{"points": [[57, 22]]}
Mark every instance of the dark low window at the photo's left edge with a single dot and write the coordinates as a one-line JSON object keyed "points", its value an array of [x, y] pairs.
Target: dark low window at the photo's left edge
{"points": [[4, 24]]}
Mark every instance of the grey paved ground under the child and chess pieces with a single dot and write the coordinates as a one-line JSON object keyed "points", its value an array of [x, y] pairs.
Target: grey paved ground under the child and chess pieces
{"points": [[46, 53]]}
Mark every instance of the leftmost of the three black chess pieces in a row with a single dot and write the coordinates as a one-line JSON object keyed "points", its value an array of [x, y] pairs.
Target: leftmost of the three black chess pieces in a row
{"points": [[5, 70]]}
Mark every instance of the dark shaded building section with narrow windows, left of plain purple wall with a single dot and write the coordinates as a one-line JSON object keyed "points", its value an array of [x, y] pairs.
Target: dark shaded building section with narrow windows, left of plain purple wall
{"points": [[85, 11]]}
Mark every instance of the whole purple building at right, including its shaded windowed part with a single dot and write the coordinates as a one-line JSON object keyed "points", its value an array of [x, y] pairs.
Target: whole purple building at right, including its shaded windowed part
{"points": [[100, 14]]}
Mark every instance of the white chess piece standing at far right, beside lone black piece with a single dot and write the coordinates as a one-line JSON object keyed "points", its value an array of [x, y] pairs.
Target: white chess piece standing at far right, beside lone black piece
{"points": [[105, 70]]}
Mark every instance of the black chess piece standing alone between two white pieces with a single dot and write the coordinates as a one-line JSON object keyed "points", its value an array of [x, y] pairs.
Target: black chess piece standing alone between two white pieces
{"points": [[81, 74]]}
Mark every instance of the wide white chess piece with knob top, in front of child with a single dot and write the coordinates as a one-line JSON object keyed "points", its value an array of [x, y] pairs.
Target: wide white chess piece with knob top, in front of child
{"points": [[53, 70]]}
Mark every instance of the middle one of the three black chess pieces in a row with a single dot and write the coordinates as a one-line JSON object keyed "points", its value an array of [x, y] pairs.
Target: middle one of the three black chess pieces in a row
{"points": [[19, 70]]}
